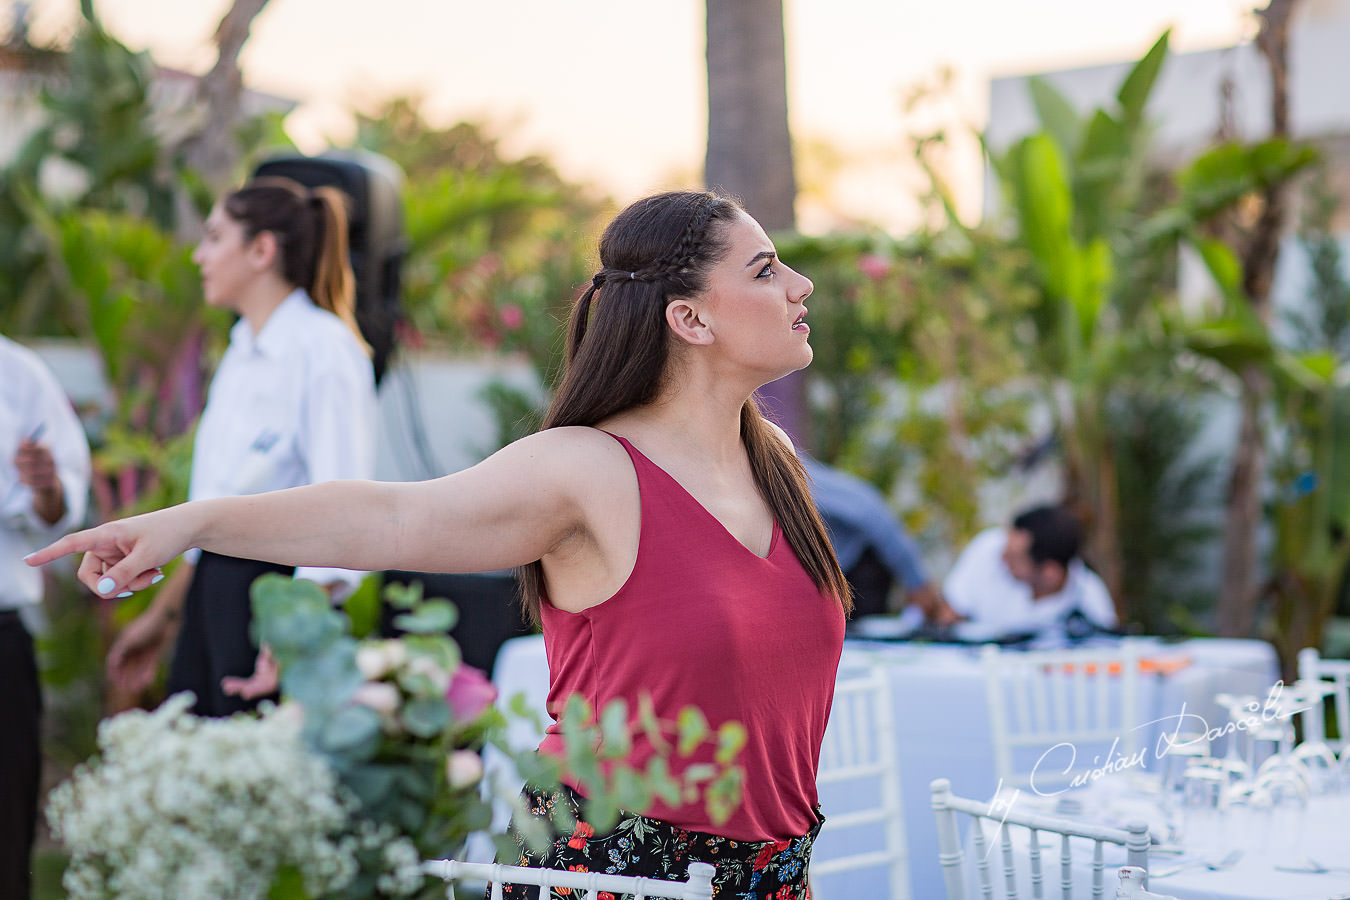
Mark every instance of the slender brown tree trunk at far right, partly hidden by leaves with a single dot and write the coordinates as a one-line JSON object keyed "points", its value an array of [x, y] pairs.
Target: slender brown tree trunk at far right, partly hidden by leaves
{"points": [[1239, 593]]}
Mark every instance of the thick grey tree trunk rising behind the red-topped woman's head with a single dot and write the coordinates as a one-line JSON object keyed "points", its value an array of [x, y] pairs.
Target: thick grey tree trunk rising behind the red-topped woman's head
{"points": [[750, 148]]}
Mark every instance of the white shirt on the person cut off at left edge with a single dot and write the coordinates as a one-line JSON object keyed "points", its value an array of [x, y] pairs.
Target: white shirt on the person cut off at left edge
{"points": [[32, 403]]}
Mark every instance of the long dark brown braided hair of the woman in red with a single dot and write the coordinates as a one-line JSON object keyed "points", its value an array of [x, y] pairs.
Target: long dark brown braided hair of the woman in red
{"points": [[618, 358]]}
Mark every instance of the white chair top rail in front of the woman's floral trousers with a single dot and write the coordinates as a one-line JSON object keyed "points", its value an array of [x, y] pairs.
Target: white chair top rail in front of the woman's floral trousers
{"points": [[699, 887]]}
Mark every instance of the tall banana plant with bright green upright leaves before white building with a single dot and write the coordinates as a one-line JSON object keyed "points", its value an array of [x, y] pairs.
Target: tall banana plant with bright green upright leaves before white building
{"points": [[1108, 331]]}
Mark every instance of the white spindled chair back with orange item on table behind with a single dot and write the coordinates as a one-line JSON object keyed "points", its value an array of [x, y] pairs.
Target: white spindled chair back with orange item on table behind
{"points": [[1064, 706]]}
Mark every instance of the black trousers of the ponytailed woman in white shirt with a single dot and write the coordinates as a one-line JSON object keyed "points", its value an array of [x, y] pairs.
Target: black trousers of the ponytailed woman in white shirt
{"points": [[214, 640]]}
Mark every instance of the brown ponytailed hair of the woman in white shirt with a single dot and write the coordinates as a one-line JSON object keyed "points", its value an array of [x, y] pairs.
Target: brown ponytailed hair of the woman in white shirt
{"points": [[311, 231]]}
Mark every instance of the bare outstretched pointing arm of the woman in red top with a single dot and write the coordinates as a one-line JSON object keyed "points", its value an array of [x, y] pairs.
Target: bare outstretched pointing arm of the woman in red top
{"points": [[514, 508]]}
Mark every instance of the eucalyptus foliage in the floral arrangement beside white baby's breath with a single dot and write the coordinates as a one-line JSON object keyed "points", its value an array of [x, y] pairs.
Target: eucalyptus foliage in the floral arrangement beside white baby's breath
{"points": [[384, 713]]}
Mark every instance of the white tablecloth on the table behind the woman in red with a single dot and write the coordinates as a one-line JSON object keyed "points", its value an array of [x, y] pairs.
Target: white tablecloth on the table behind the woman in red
{"points": [[942, 723]]}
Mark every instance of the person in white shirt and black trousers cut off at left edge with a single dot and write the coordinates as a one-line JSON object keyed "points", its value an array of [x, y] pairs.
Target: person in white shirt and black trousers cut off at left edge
{"points": [[44, 488]]}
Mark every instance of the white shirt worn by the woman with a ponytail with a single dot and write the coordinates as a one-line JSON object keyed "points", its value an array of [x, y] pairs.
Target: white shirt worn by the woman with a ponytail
{"points": [[292, 405]]}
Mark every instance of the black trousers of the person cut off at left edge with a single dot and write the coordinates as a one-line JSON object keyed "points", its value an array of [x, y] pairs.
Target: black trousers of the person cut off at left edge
{"points": [[21, 758]]}
